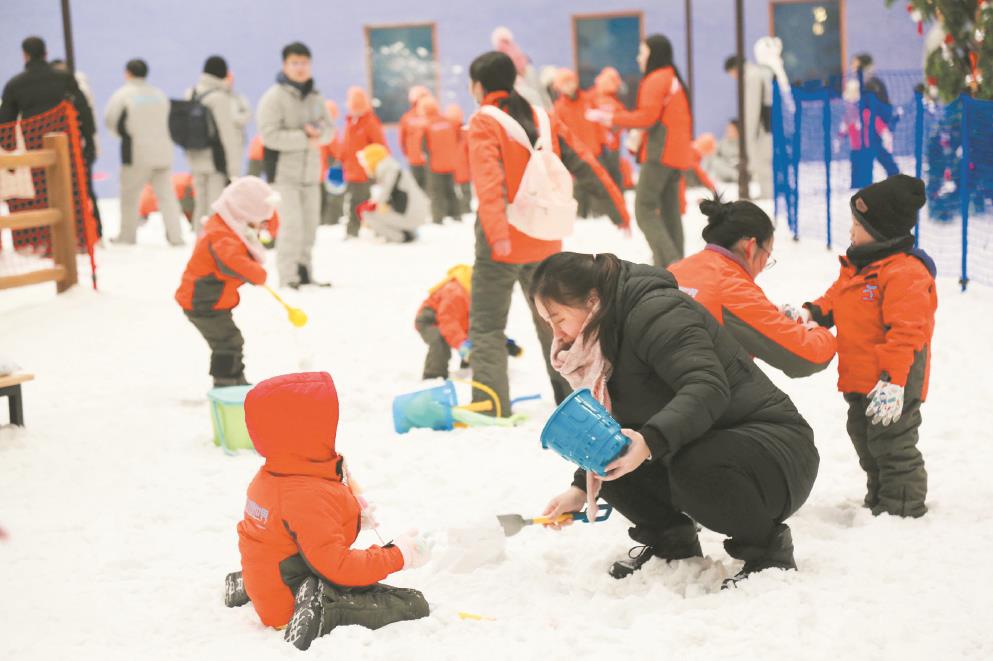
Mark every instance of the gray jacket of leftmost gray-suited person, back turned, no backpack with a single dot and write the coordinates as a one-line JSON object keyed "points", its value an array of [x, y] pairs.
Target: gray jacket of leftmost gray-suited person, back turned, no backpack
{"points": [[138, 114]]}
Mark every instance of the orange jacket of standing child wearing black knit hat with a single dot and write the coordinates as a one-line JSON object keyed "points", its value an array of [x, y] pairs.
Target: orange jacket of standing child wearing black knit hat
{"points": [[885, 318]]}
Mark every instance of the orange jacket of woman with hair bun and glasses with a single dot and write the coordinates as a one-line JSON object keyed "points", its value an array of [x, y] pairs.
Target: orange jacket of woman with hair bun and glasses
{"points": [[717, 279]]}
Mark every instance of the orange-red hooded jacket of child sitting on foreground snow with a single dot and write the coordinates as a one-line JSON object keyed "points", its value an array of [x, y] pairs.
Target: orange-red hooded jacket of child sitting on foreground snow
{"points": [[297, 505]]}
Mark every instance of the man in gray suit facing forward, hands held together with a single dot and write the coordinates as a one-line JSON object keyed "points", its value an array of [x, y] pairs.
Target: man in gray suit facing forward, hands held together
{"points": [[294, 124]]}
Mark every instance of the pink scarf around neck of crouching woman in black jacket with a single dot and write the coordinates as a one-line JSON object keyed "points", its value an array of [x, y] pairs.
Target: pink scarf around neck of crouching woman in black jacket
{"points": [[584, 366]]}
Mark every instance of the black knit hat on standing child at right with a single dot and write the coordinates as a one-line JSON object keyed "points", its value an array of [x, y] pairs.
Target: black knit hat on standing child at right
{"points": [[888, 209]]}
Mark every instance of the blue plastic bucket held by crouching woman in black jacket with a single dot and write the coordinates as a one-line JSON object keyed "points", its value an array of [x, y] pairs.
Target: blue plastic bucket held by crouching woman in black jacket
{"points": [[583, 432]]}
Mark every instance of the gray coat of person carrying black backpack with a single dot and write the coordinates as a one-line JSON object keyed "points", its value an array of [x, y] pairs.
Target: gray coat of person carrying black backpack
{"points": [[222, 102]]}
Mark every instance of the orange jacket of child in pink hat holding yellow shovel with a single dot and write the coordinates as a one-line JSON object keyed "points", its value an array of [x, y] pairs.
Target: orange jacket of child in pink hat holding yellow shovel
{"points": [[220, 264]]}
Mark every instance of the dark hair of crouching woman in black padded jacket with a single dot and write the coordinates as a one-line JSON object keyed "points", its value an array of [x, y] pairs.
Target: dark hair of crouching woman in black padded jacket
{"points": [[569, 278]]}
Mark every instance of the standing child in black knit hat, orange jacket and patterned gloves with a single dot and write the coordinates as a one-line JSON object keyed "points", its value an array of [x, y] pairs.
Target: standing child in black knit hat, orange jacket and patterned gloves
{"points": [[883, 304]]}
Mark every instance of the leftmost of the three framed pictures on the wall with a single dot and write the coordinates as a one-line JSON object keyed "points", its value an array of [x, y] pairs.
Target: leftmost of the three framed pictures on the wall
{"points": [[400, 56]]}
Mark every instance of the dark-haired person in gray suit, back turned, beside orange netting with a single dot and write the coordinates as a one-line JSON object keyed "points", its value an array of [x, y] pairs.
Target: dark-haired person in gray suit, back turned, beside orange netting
{"points": [[138, 114]]}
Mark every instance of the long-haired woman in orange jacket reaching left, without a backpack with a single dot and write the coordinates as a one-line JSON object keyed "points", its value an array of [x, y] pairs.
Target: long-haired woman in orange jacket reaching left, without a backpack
{"points": [[663, 113]]}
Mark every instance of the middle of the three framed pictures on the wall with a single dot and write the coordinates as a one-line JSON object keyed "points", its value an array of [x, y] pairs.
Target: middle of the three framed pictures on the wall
{"points": [[608, 40]]}
